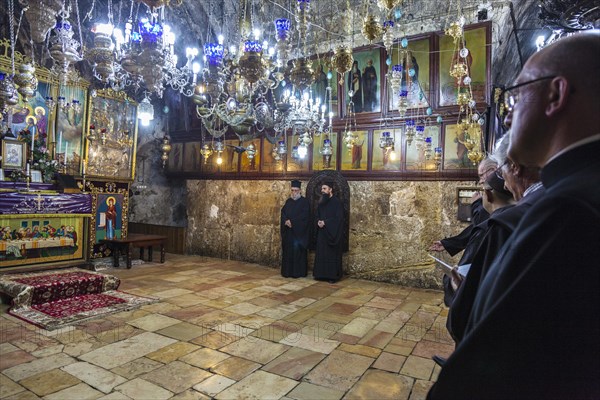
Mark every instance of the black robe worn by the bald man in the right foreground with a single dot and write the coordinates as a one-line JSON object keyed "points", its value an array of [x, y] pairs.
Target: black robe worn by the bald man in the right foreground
{"points": [[533, 332]]}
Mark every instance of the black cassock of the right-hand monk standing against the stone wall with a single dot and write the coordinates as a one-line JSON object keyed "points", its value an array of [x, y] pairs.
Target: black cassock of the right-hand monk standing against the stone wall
{"points": [[328, 256]]}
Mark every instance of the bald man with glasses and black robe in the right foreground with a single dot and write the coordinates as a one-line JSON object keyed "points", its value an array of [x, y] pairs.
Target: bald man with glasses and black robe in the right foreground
{"points": [[533, 331]]}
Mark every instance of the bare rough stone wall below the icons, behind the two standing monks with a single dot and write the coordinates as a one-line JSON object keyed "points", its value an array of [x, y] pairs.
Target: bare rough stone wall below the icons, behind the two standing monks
{"points": [[391, 225]]}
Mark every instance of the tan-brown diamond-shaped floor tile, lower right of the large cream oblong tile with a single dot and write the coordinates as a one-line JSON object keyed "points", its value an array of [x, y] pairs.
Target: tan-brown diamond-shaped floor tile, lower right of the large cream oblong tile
{"points": [[177, 376]]}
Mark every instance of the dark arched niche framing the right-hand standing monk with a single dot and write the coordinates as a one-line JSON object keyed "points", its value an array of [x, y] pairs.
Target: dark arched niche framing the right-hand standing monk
{"points": [[340, 189]]}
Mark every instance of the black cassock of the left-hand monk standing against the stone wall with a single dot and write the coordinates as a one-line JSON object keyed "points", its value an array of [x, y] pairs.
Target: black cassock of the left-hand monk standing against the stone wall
{"points": [[294, 240]]}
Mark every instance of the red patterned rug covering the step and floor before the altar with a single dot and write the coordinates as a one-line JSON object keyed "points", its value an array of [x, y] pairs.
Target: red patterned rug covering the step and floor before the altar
{"points": [[55, 299]]}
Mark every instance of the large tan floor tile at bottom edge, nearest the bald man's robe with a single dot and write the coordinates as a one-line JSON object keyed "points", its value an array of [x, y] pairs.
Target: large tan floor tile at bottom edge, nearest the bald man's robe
{"points": [[376, 384]]}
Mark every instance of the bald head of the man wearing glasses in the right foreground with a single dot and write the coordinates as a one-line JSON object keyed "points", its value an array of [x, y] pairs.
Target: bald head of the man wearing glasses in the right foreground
{"points": [[557, 101]]}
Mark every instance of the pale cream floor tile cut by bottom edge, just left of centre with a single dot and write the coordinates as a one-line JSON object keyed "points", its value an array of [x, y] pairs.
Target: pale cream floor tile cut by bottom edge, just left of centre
{"points": [[259, 385]]}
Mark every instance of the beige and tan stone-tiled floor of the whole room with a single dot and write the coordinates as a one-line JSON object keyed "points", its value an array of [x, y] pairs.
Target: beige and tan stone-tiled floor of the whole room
{"points": [[232, 330]]}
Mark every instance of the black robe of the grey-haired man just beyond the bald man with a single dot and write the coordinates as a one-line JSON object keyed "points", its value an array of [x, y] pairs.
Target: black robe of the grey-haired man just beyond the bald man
{"points": [[500, 226]]}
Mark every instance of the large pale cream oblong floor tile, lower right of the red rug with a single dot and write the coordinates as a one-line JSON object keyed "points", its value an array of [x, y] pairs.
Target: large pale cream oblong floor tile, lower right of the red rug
{"points": [[122, 352]]}
